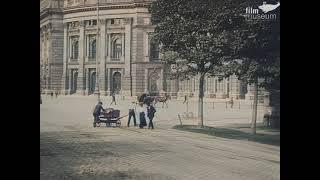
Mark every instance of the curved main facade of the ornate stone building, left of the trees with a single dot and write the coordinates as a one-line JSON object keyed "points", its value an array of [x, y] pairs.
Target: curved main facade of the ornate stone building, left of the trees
{"points": [[119, 41]]}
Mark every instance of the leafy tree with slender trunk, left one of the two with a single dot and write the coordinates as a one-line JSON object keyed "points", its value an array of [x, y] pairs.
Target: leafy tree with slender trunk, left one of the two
{"points": [[195, 37]]}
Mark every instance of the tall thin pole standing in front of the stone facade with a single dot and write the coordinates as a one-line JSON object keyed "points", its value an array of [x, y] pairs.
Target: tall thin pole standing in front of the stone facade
{"points": [[97, 90]]}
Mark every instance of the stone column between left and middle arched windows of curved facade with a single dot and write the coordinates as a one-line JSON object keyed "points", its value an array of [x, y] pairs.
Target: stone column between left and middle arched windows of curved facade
{"points": [[82, 47]]}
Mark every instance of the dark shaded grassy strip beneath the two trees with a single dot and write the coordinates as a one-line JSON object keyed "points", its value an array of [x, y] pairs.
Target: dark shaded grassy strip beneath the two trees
{"points": [[234, 133]]}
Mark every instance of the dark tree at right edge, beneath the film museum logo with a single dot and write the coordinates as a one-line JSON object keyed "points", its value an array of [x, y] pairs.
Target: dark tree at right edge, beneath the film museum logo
{"points": [[257, 44]]}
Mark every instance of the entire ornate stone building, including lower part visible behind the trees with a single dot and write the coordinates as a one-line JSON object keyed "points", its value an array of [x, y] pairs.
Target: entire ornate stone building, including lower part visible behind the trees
{"points": [[80, 43]]}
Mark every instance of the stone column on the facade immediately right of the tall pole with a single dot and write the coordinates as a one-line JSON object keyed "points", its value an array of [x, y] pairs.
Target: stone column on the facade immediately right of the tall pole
{"points": [[102, 47]]}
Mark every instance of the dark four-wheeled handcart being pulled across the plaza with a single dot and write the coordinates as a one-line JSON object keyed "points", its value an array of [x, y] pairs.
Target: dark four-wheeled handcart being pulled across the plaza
{"points": [[110, 116]]}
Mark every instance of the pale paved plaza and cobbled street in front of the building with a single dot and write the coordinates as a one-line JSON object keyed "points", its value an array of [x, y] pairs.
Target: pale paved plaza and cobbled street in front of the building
{"points": [[70, 148]]}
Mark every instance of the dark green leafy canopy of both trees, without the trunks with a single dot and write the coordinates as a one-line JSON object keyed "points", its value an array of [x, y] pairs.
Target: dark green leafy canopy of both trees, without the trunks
{"points": [[210, 35]]}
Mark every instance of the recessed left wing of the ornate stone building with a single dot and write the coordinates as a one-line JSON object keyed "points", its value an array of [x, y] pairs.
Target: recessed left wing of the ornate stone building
{"points": [[51, 44]]}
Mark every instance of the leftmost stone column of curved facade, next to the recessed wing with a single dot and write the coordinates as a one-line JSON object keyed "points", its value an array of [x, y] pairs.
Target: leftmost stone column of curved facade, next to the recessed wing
{"points": [[65, 59]]}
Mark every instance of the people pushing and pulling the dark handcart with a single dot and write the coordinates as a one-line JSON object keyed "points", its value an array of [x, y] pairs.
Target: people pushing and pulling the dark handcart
{"points": [[144, 110]]}
